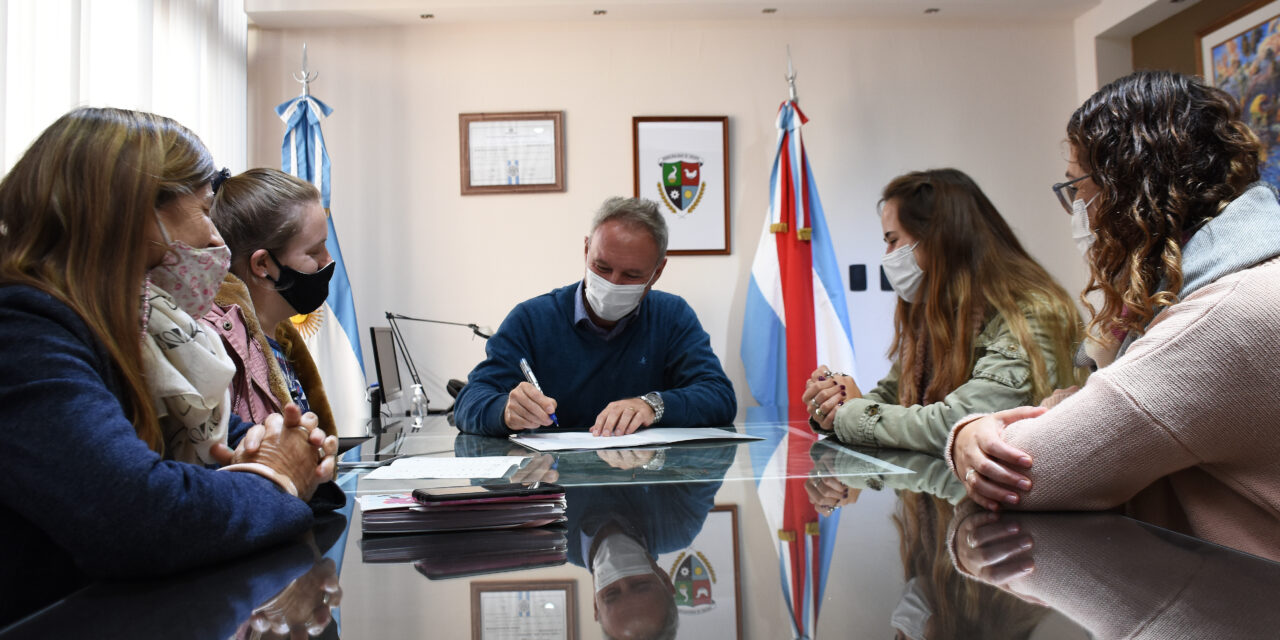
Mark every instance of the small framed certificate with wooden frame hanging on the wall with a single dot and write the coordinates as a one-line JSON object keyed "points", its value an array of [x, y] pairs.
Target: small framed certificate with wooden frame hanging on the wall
{"points": [[513, 153]]}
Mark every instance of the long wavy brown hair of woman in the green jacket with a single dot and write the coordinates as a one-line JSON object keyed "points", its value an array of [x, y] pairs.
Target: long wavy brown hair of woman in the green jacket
{"points": [[973, 268]]}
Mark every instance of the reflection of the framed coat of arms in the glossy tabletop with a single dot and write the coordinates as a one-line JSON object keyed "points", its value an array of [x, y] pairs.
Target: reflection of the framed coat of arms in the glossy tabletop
{"points": [[708, 593]]}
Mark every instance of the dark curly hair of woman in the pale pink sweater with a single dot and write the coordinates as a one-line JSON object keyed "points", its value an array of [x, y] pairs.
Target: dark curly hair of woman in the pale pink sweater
{"points": [[1167, 152]]}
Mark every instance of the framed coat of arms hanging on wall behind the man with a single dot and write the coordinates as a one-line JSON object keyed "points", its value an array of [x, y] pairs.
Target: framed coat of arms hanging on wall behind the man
{"points": [[683, 163]]}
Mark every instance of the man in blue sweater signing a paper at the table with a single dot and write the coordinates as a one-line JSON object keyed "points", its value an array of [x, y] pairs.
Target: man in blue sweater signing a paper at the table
{"points": [[611, 354]]}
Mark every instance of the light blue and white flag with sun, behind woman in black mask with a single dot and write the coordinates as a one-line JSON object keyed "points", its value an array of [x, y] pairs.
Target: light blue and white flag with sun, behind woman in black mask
{"points": [[332, 333]]}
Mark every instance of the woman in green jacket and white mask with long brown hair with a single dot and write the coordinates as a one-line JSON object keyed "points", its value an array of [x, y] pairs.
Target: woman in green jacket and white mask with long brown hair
{"points": [[980, 324]]}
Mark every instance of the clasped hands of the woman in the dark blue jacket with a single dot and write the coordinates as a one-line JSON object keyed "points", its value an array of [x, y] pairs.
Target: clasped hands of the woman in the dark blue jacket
{"points": [[287, 449]]}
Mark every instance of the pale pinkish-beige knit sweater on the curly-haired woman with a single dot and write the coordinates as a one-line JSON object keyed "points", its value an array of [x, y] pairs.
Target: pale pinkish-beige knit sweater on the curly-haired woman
{"points": [[1185, 429]]}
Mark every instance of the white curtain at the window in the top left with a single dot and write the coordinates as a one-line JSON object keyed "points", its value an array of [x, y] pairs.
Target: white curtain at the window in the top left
{"points": [[180, 58]]}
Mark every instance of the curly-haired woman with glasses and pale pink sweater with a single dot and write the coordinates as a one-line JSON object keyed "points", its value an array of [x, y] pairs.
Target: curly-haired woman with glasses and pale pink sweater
{"points": [[1181, 429]]}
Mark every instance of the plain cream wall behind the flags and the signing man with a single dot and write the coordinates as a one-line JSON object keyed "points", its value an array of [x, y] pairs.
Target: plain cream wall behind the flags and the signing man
{"points": [[883, 98]]}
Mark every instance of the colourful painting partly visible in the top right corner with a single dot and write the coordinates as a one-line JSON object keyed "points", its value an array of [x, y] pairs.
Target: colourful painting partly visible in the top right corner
{"points": [[1241, 56]]}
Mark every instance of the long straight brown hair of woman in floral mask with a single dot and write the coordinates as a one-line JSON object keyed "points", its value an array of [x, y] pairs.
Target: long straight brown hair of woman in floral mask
{"points": [[74, 218]]}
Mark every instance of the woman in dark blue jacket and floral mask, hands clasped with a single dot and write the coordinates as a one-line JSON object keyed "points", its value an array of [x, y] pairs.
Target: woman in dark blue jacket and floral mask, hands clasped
{"points": [[106, 253]]}
